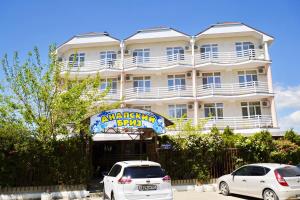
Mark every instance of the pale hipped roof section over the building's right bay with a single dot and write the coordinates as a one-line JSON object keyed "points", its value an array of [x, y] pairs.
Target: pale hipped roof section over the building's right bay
{"points": [[230, 28]]}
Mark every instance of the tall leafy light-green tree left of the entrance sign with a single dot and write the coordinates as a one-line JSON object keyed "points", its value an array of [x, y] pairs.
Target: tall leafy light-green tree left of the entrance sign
{"points": [[46, 100]]}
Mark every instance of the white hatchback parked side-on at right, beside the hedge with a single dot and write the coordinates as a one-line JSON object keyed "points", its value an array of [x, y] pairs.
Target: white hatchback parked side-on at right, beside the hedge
{"points": [[269, 181]]}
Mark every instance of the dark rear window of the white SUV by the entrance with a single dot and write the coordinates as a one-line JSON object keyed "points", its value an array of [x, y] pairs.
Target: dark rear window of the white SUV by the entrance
{"points": [[144, 172]]}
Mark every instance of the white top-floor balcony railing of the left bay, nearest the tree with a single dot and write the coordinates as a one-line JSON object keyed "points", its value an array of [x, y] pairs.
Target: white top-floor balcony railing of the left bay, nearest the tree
{"points": [[93, 65]]}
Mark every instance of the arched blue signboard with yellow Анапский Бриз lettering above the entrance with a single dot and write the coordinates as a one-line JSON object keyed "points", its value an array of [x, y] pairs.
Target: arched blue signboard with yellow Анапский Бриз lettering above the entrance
{"points": [[127, 118]]}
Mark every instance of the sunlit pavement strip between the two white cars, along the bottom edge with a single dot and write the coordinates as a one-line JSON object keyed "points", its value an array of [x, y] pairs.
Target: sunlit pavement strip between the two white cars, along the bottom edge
{"points": [[191, 195]]}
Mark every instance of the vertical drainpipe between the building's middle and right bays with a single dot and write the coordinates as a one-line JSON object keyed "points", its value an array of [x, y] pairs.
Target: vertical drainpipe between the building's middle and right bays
{"points": [[194, 80]]}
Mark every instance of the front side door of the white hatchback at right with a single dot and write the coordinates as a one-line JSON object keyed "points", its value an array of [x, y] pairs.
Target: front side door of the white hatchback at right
{"points": [[239, 180]]}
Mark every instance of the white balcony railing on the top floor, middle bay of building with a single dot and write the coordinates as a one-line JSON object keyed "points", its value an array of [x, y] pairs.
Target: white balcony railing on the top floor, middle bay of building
{"points": [[158, 62]]}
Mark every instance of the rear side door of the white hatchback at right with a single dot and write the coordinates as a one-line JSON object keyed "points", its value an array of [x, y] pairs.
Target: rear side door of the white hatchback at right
{"points": [[256, 182]]}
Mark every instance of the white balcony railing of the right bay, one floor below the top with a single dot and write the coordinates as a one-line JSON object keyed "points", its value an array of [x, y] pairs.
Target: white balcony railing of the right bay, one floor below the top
{"points": [[233, 88]]}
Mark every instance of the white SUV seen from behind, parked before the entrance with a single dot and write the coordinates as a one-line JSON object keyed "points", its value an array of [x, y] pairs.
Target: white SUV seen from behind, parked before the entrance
{"points": [[137, 180]]}
